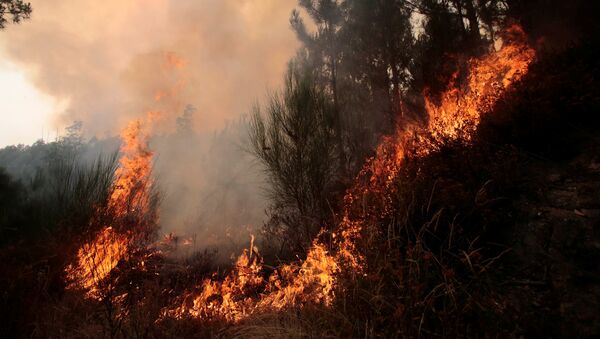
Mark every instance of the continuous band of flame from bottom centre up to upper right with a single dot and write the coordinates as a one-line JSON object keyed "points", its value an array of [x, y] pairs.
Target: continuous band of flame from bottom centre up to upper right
{"points": [[314, 280]]}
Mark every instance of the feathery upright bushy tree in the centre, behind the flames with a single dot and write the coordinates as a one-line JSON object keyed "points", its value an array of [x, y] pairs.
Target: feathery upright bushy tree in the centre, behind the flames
{"points": [[294, 142]]}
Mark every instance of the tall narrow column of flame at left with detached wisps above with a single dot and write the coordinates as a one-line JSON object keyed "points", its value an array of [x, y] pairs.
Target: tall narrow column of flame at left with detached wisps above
{"points": [[130, 202]]}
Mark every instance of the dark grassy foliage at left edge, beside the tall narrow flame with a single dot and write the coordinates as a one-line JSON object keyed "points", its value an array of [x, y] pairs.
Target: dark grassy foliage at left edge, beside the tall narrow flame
{"points": [[61, 197]]}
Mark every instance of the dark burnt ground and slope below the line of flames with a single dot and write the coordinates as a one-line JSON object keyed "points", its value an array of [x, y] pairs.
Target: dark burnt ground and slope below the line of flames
{"points": [[498, 238]]}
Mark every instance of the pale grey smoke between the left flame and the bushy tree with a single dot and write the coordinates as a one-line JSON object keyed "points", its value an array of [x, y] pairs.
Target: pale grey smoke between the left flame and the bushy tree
{"points": [[215, 195]]}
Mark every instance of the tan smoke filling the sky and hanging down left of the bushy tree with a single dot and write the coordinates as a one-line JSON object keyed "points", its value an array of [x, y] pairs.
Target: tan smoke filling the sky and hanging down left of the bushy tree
{"points": [[113, 60]]}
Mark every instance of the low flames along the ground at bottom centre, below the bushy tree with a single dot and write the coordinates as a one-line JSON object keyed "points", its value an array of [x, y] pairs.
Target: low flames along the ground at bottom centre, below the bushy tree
{"points": [[232, 299]]}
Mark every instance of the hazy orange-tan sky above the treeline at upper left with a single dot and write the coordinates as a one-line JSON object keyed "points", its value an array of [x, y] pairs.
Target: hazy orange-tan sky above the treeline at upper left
{"points": [[103, 62]]}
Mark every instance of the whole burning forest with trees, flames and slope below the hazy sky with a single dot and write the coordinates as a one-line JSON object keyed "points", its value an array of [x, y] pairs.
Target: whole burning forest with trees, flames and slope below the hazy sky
{"points": [[428, 168]]}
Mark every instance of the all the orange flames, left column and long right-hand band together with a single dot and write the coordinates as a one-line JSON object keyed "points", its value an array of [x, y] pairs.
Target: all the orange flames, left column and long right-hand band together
{"points": [[247, 290]]}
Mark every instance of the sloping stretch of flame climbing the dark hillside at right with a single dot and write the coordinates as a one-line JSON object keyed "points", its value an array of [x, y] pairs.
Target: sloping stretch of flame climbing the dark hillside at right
{"points": [[455, 118]]}
